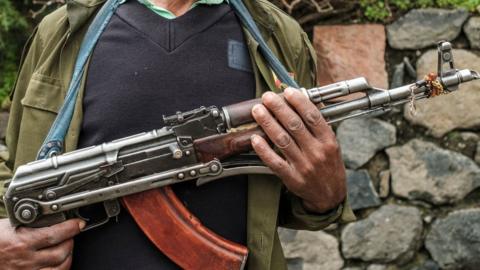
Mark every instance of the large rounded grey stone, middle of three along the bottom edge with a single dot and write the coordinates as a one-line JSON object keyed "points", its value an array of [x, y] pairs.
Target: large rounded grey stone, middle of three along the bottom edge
{"points": [[389, 234]]}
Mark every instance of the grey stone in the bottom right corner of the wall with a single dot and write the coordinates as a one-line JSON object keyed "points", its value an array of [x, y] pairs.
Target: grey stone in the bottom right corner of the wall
{"points": [[454, 241]]}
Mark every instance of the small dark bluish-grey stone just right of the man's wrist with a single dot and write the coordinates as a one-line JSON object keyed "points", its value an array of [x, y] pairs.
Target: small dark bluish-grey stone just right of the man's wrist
{"points": [[361, 193]]}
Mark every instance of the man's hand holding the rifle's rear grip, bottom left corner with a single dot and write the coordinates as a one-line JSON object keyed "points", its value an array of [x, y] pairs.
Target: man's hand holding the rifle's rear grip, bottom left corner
{"points": [[33, 249]]}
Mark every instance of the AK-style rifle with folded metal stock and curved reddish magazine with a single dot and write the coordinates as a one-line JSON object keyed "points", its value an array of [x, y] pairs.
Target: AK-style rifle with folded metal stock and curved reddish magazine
{"points": [[203, 145]]}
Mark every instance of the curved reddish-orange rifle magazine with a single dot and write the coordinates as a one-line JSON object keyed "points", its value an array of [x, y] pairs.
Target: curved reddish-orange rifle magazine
{"points": [[180, 235]]}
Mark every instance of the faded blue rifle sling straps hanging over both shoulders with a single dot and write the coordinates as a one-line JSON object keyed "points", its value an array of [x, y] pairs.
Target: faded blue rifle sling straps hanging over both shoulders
{"points": [[54, 142]]}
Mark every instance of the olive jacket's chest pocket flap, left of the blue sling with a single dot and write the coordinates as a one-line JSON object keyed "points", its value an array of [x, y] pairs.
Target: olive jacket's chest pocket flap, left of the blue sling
{"points": [[43, 93]]}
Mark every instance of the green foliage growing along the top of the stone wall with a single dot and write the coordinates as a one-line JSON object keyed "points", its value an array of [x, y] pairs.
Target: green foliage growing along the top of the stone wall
{"points": [[381, 10]]}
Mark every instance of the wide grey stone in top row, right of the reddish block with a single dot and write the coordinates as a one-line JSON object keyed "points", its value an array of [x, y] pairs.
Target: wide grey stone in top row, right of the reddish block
{"points": [[421, 28]]}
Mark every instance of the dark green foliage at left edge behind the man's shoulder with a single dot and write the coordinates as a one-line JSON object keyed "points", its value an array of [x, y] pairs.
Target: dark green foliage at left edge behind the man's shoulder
{"points": [[12, 27]]}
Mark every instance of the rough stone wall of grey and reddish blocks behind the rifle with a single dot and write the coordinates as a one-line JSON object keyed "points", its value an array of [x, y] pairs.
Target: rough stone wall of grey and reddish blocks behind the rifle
{"points": [[413, 179]]}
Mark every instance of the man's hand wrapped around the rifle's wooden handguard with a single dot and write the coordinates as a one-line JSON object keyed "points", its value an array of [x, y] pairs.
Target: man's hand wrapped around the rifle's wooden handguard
{"points": [[311, 166]]}
